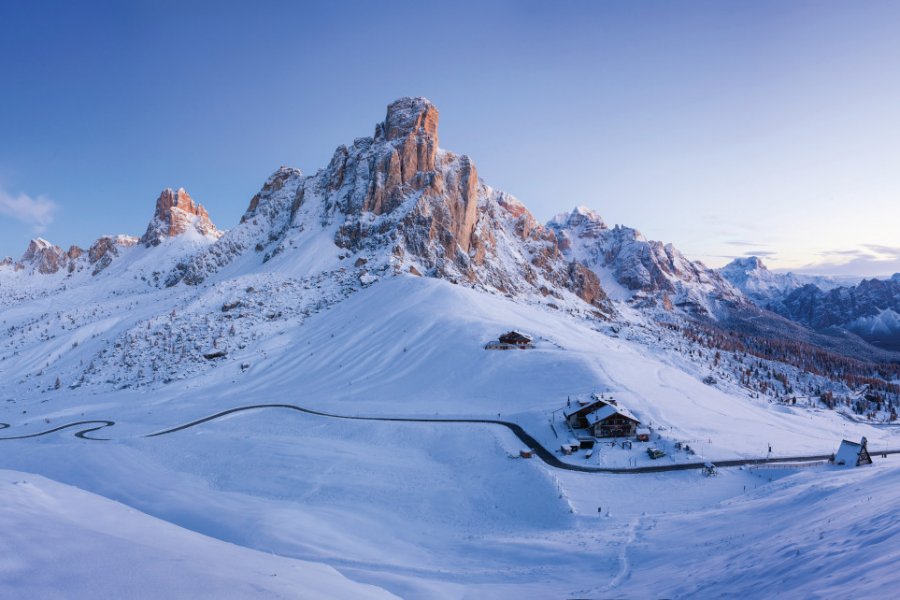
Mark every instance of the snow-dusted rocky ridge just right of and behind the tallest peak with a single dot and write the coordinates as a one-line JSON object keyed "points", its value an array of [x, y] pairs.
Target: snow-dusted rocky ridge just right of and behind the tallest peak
{"points": [[650, 272]]}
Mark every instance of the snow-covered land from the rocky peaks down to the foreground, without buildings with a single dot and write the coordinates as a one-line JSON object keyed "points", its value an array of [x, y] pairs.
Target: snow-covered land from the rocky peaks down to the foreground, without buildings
{"points": [[304, 406]]}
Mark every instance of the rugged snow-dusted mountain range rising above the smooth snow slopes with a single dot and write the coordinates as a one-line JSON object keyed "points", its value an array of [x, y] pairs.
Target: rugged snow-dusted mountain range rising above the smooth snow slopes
{"points": [[390, 204]]}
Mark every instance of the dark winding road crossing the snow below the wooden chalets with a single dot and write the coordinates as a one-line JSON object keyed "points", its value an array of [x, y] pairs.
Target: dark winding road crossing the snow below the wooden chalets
{"points": [[539, 450]]}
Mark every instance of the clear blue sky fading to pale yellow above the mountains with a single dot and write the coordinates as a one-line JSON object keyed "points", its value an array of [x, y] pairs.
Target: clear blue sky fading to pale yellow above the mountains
{"points": [[726, 128]]}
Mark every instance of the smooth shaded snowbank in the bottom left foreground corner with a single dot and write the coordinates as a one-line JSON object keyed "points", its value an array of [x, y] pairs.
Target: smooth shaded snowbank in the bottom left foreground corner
{"points": [[113, 551]]}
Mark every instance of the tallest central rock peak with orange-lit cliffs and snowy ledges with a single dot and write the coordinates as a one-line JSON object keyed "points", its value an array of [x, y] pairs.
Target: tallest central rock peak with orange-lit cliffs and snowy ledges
{"points": [[399, 201]]}
